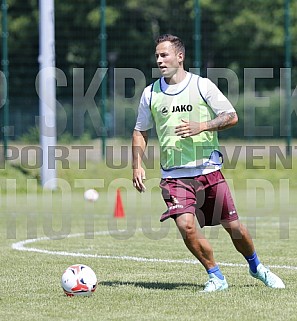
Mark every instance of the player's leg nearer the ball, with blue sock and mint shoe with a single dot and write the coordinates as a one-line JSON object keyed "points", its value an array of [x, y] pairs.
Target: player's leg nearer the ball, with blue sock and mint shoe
{"points": [[202, 250]]}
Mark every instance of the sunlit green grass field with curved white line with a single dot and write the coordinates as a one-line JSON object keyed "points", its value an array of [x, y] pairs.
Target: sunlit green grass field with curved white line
{"points": [[143, 267]]}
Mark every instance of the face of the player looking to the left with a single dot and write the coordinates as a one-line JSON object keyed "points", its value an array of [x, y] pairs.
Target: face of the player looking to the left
{"points": [[168, 59]]}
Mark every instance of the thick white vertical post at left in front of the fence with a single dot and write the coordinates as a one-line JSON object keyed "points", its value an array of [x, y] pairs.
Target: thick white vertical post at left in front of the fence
{"points": [[47, 93]]}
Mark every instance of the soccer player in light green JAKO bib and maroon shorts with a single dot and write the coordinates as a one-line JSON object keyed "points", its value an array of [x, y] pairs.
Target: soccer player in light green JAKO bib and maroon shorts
{"points": [[188, 111]]}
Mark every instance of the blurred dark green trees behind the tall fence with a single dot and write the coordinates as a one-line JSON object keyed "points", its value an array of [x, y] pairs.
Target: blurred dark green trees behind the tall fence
{"points": [[234, 35]]}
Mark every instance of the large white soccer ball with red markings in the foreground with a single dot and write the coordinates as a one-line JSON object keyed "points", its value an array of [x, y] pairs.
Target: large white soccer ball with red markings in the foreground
{"points": [[79, 279]]}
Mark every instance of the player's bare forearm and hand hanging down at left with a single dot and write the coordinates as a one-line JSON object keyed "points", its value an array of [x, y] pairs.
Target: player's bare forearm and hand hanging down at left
{"points": [[139, 142]]}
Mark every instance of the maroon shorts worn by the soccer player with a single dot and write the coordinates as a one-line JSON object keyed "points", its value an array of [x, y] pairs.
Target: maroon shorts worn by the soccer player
{"points": [[206, 196]]}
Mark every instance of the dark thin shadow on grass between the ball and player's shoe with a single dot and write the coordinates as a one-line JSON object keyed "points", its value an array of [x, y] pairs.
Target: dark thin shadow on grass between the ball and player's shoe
{"points": [[153, 285]]}
